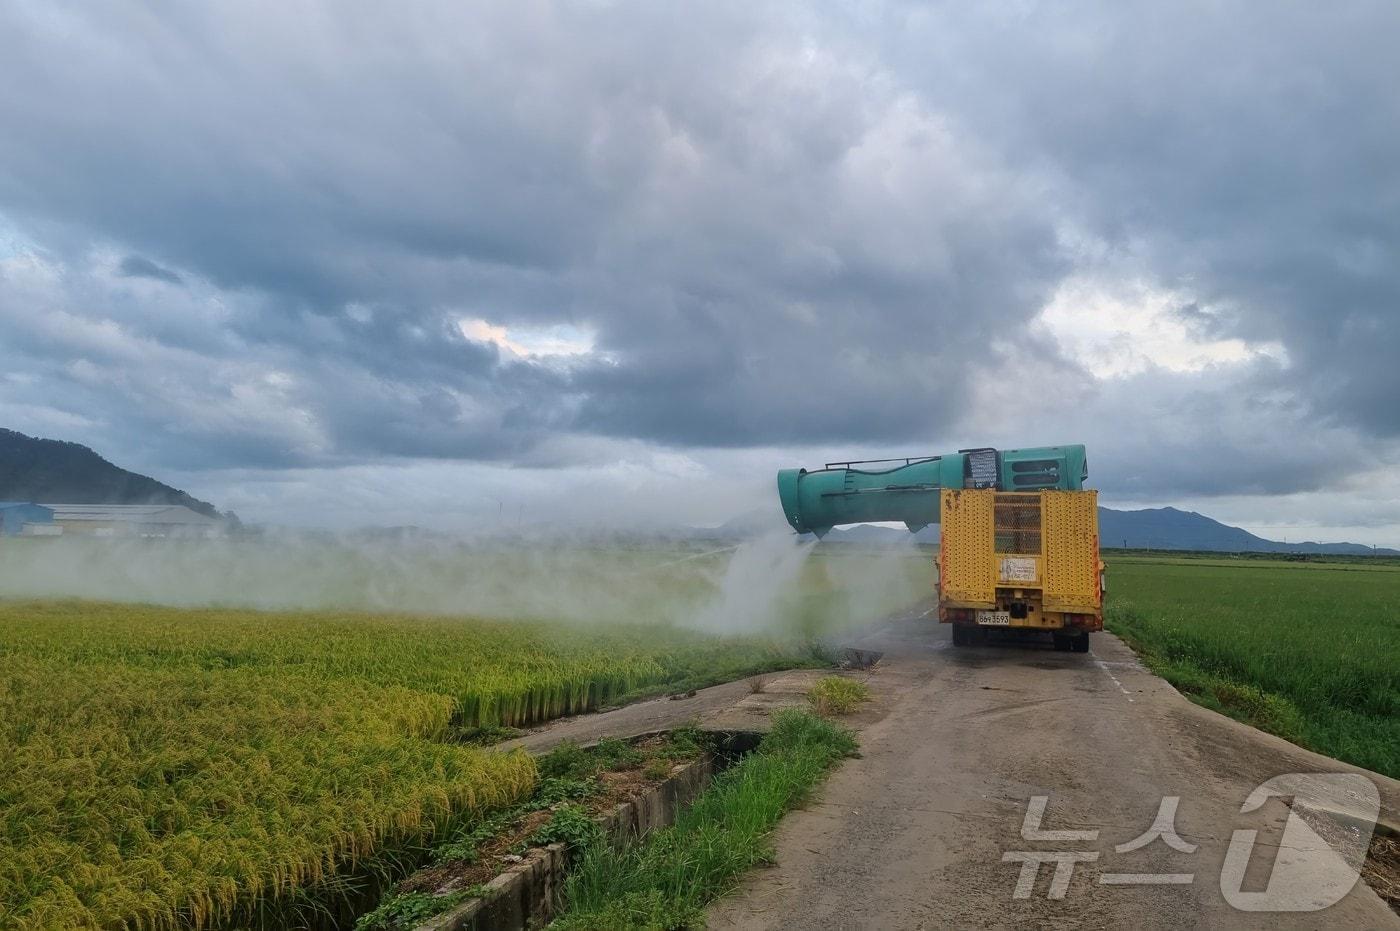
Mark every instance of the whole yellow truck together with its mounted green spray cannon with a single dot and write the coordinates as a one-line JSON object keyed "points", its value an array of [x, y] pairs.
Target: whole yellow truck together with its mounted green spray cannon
{"points": [[1020, 531]]}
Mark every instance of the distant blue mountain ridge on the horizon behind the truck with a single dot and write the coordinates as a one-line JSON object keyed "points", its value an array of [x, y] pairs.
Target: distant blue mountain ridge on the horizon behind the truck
{"points": [[1151, 528]]}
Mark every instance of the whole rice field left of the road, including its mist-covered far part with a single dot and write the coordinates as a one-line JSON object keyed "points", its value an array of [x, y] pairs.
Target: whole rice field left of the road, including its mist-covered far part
{"points": [[268, 766]]}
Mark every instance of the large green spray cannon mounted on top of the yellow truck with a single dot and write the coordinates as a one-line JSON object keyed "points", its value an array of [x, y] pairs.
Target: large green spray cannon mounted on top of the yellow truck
{"points": [[906, 491]]}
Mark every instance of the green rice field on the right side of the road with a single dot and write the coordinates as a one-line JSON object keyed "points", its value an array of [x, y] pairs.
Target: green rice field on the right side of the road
{"points": [[1307, 650]]}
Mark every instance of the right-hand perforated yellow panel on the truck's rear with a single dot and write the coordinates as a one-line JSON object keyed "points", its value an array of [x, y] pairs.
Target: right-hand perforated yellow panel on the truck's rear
{"points": [[1072, 541]]}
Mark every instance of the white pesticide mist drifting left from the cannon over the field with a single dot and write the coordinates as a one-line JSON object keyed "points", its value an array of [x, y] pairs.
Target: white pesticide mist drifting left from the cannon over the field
{"points": [[773, 584]]}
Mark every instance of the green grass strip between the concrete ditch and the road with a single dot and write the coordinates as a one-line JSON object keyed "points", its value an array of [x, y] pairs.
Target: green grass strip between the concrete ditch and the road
{"points": [[667, 880]]}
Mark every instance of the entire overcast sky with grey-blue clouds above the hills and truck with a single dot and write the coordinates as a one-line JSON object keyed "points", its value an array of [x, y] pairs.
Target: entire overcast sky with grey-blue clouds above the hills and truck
{"points": [[344, 264]]}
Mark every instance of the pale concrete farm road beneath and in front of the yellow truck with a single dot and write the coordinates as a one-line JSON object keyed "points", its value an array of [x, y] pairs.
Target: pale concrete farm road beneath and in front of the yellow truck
{"points": [[957, 745]]}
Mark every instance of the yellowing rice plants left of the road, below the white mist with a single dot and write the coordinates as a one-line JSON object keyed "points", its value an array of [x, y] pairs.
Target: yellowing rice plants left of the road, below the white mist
{"points": [[166, 769]]}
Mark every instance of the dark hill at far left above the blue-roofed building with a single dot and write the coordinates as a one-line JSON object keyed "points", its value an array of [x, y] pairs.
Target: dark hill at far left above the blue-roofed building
{"points": [[34, 470]]}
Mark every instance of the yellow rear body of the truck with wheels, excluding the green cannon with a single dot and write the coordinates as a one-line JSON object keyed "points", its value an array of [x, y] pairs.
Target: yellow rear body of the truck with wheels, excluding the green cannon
{"points": [[1021, 562]]}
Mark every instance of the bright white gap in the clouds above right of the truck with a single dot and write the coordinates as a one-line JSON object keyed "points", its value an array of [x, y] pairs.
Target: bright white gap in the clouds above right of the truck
{"points": [[1129, 328]]}
